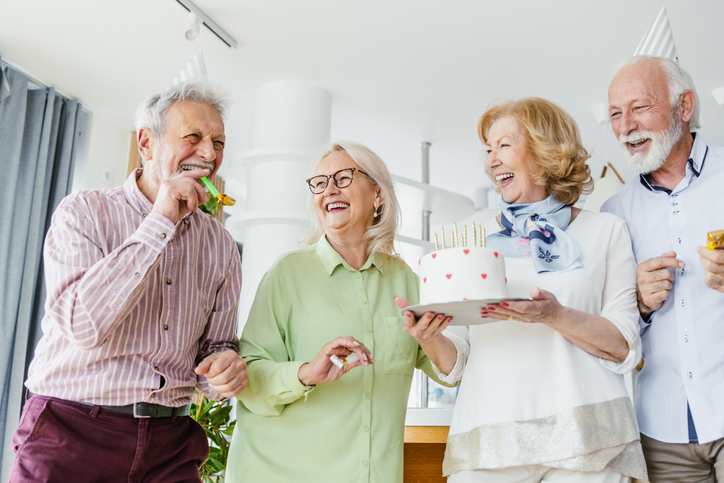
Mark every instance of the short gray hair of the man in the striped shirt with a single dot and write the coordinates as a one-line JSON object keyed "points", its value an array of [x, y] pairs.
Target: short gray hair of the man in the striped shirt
{"points": [[152, 112]]}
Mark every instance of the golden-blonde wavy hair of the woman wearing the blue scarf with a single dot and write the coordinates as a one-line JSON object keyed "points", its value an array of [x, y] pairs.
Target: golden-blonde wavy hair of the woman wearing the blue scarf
{"points": [[553, 143]]}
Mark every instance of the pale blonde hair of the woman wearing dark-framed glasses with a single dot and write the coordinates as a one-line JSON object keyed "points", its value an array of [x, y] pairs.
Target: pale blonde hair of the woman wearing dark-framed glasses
{"points": [[380, 237]]}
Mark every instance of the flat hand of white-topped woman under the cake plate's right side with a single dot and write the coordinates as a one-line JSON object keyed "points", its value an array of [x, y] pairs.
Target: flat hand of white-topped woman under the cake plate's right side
{"points": [[544, 309]]}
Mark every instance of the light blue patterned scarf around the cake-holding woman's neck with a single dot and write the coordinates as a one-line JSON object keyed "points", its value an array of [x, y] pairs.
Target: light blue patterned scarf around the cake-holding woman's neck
{"points": [[537, 231]]}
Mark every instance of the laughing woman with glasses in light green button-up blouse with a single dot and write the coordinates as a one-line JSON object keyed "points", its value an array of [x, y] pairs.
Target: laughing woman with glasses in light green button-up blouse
{"points": [[301, 419]]}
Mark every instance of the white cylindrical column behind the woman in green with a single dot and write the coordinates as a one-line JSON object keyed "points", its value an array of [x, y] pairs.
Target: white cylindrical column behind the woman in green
{"points": [[290, 124]]}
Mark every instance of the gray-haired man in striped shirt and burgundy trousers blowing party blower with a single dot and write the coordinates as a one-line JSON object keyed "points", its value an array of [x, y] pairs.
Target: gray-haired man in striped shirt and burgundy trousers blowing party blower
{"points": [[141, 311]]}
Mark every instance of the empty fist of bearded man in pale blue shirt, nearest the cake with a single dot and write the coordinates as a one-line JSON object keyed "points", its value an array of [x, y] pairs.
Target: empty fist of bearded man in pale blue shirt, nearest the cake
{"points": [[654, 281]]}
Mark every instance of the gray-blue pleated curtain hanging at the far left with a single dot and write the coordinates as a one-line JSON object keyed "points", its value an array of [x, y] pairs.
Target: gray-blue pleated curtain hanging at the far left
{"points": [[38, 133]]}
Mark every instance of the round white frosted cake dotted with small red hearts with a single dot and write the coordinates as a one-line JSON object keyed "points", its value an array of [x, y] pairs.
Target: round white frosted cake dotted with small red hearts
{"points": [[462, 273]]}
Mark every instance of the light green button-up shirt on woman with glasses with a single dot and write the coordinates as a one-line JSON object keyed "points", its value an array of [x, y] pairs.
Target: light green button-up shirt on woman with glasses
{"points": [[347, 431]]}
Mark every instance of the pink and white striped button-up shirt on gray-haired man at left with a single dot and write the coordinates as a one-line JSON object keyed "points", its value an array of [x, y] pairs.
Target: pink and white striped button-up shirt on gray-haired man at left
{"points": [[133, 298]]}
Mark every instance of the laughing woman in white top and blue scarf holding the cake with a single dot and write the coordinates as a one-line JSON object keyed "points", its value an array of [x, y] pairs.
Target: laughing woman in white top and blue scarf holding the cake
{"points": [[542, 396]]}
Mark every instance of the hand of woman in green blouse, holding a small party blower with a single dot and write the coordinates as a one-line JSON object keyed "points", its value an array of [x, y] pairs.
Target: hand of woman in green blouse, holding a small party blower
{"points": [[321, 369]]}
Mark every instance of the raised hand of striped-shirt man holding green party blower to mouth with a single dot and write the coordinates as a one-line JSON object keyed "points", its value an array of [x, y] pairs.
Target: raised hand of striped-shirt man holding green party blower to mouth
{"points": [[180, 194]]}
